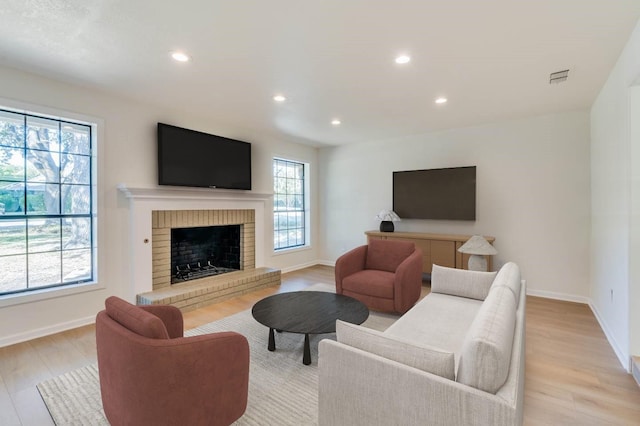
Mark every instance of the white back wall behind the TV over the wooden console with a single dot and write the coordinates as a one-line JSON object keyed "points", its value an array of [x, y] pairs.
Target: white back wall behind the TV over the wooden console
{"points": [[532, 194]]}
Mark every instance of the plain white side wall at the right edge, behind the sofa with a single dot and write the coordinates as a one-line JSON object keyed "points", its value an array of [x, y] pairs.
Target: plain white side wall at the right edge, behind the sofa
{"points": [[615, 202]]}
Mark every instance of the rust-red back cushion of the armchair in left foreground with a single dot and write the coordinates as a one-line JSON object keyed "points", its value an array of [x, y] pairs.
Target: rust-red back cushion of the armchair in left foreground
{"points": [[135, 319]]}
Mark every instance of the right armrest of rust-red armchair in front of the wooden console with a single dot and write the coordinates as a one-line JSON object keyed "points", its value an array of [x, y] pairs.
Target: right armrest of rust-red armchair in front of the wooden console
{"points": [[408, 282]]}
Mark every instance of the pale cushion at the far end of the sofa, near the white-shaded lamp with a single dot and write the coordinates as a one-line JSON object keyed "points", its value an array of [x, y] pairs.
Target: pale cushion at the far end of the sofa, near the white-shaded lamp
{"points": [[459, 282]]}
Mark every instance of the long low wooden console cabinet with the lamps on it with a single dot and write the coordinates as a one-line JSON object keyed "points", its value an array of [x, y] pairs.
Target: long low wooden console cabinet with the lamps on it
{"points": [[441, 249]]}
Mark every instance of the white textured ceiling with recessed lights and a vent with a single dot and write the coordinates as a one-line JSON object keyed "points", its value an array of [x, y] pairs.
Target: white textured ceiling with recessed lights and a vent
{"points": [[331, 58]]}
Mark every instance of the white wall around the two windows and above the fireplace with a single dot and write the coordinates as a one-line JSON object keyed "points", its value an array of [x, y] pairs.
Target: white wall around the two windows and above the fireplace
{"points": [[129, 156]]}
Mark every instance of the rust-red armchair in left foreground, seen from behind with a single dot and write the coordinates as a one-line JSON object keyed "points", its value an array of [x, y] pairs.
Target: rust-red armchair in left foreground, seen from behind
{"points": [[151, 375]]}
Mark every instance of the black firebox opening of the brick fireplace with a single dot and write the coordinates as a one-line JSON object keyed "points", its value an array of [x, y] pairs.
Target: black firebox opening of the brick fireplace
{"points": [[203, 251]]}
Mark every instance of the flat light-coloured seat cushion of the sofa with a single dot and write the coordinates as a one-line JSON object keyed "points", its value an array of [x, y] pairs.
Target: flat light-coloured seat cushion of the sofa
{"points": [[438, 320]]}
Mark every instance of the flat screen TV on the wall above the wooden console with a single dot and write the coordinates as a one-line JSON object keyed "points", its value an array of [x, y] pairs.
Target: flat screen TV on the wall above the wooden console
{"points": [[446, 194]]}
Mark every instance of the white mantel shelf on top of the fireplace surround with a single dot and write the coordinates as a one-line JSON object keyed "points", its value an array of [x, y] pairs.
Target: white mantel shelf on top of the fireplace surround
{"points": [[190, 194]]}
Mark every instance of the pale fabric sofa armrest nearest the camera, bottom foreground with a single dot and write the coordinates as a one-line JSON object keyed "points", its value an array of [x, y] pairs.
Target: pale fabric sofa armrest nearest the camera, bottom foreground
{"points": [[357, 388]]}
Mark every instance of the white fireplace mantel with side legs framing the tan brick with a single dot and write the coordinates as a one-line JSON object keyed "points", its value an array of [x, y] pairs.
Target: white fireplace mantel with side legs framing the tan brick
{"points": [[143, 201]]}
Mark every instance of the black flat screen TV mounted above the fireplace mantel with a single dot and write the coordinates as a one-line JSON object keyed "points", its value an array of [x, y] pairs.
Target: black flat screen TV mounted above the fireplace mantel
{"points": [[190, 158]]}
